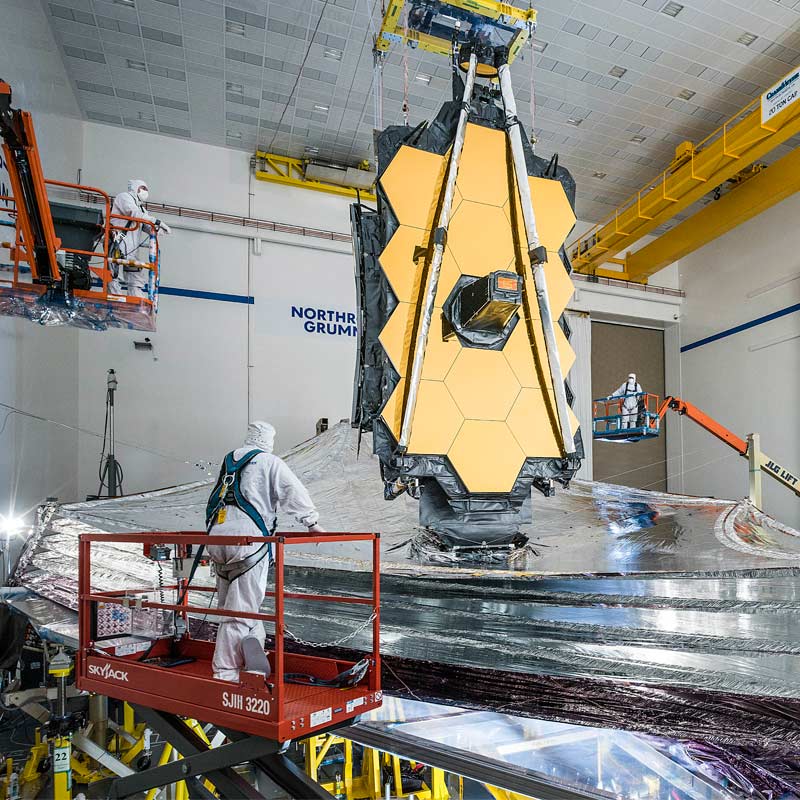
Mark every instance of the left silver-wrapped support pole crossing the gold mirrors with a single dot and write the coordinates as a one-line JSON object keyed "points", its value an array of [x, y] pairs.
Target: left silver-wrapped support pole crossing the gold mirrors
{"points": [[439, 242]]}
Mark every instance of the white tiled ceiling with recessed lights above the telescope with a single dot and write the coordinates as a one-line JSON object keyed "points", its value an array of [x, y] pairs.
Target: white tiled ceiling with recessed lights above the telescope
{"points": [[659, 70]]}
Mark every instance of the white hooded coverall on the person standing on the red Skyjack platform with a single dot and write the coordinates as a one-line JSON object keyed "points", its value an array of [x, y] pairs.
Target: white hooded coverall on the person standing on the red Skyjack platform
{"points": [[268, 484]]}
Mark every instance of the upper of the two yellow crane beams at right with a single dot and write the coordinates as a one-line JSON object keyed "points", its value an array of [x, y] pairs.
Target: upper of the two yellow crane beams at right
{"points": [[695, 172]]}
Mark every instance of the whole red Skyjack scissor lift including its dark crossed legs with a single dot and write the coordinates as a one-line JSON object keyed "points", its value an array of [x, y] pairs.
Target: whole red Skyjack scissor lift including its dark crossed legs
{"points": [[271, 711]]}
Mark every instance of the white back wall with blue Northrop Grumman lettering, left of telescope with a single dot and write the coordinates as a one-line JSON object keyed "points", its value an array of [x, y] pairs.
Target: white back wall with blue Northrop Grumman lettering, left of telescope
{"points": [[218, 363]]}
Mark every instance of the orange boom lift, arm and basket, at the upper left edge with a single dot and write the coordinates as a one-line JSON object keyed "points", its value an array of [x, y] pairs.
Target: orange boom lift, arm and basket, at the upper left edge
{"points": [[33, 242]]}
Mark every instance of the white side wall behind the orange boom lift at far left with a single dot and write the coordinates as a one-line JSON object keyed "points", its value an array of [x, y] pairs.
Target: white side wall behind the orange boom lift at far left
{"points": [[38, 366]]}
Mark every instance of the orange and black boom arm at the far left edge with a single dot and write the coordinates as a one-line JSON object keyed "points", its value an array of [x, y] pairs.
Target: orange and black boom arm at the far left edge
{"points": [[37, 238]]}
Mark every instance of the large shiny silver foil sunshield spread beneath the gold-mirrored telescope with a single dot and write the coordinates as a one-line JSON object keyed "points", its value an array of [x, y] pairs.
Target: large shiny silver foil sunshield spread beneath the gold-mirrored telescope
{"points": [[661, 613]]}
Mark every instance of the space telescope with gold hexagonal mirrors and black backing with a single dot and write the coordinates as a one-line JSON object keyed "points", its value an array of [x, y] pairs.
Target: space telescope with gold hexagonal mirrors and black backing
{"points": [[462, 283]]}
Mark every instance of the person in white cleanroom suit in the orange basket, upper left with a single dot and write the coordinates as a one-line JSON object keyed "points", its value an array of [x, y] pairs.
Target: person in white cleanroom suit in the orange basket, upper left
{"points": [[134, 242]]}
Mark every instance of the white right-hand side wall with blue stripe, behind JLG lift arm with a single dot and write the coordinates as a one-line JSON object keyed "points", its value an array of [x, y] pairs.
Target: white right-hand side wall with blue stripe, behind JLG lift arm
{"points": [[748, 381]]}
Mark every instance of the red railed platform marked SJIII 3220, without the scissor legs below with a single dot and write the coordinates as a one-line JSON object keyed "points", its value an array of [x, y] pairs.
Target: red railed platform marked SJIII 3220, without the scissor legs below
{"points": [[172, 673]]}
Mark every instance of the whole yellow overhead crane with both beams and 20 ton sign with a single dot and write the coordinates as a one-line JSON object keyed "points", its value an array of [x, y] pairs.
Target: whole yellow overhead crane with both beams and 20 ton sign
{"points": [[695, 172]]}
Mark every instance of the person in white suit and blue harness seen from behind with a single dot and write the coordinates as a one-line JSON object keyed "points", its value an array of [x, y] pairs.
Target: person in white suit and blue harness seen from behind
{"points": [[253, 485]]}
